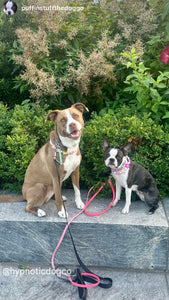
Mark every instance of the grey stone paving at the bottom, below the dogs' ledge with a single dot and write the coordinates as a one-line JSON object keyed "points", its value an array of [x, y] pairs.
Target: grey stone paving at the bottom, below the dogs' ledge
{"points": [[127, 285]]}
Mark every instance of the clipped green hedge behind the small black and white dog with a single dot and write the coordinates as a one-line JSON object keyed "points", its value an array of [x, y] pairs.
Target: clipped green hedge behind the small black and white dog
{"points": [[150, 145]]}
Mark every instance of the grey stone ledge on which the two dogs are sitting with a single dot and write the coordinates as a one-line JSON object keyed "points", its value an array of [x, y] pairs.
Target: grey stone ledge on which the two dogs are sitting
{"points": [[133, 241]]}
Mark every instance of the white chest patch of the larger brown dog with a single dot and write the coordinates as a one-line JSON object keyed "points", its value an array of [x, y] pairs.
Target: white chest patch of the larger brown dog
{"points": [[71, 163]]}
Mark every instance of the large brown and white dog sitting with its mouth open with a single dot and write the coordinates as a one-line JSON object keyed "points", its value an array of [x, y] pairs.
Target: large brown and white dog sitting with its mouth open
{"points": [[41, 179]]}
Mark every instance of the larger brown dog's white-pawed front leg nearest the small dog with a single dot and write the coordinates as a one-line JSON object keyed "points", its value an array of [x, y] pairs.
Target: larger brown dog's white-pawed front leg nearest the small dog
{"points": [[75, 182]]}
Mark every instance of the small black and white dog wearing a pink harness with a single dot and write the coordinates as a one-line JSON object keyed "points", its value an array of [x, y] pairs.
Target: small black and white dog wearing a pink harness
{"points": [[131, 176]]}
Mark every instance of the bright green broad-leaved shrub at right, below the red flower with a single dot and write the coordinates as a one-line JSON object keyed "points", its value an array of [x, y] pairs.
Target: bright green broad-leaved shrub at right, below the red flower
{"points": [[148, 94]]}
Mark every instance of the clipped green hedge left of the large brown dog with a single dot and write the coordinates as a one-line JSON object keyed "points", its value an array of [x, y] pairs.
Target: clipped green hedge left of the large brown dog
{"points": [[23, 132]]}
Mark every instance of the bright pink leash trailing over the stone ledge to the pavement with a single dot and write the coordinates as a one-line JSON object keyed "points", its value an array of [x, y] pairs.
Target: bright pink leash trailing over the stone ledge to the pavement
{"points": [[66, 227]]}
